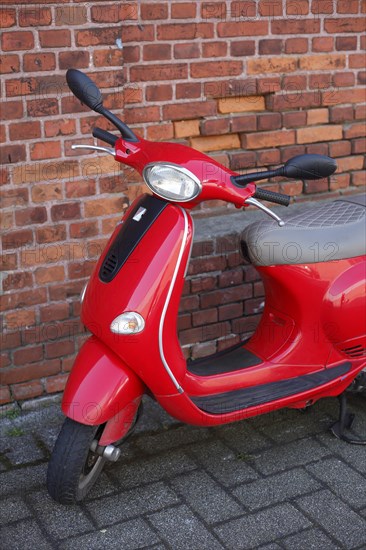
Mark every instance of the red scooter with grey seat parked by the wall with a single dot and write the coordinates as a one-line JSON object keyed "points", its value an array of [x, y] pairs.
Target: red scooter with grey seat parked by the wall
{"points": [[309, 344]]}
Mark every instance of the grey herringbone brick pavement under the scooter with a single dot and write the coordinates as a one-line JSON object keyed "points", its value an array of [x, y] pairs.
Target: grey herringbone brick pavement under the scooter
{"points": [[276, 481]]}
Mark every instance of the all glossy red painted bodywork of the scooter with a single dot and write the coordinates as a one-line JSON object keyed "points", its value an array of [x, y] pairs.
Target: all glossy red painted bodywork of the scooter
{"points": [[313, 313]]}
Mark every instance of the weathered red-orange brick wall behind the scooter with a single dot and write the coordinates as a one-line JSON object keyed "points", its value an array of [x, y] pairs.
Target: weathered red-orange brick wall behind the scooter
{"points": [[251, 83]]}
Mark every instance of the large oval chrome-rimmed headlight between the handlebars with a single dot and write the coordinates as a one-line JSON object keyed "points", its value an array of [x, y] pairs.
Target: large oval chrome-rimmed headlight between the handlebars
{"points": [[172, 182]]}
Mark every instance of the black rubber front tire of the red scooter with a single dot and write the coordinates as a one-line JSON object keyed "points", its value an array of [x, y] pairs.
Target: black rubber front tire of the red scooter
{"points": [[74, 468]]}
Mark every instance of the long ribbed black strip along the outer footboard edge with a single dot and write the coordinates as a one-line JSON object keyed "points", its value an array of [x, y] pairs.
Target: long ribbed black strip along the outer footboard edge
{"points": [[258, 395]]}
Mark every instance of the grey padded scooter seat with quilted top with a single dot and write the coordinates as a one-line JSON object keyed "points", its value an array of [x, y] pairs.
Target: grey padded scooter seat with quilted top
{"points": [[320, 234]]}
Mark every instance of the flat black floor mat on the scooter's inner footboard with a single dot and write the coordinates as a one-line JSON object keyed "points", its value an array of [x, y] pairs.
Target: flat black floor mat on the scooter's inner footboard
{"points": [[229, 360]]}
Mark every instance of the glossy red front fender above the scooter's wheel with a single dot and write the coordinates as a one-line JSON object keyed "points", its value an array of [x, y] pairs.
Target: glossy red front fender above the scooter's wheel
{"points": [[100, 385]]}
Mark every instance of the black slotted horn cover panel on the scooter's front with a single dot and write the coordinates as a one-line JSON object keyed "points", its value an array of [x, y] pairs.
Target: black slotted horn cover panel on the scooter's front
{"points": [[129, 236]]}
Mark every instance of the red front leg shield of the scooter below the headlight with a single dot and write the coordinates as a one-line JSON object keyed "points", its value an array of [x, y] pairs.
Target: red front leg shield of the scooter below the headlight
{"points": [[150, 283]]}
